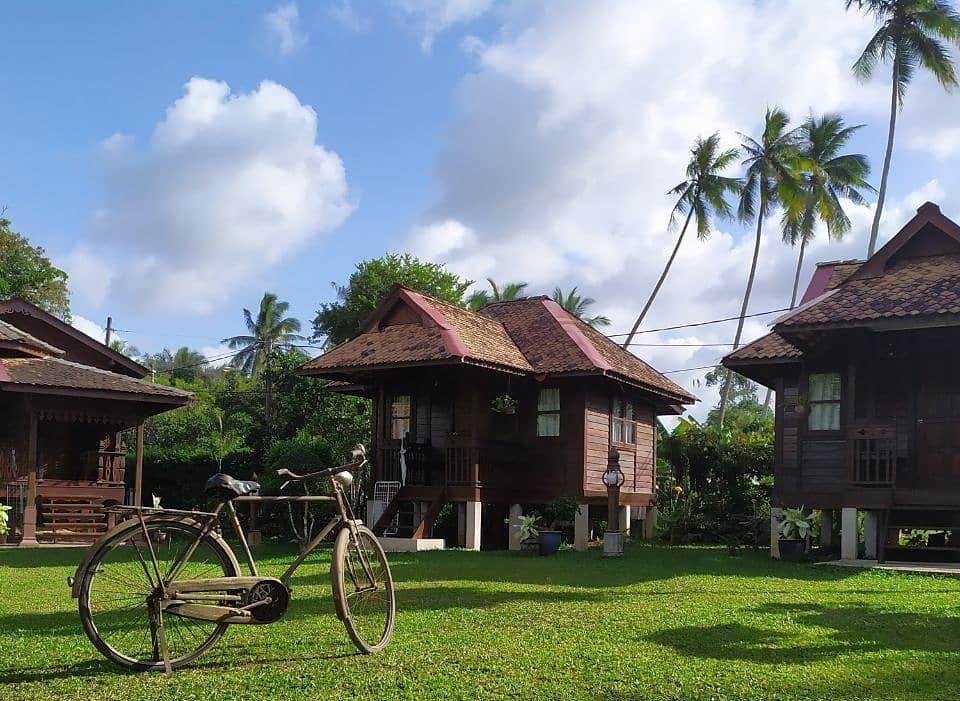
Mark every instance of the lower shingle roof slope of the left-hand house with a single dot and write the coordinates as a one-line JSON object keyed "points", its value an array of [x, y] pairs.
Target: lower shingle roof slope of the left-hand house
{"points": [[56, 372]]}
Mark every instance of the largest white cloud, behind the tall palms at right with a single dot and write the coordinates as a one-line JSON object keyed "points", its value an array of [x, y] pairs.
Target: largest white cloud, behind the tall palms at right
{"points": [[580, 116]]}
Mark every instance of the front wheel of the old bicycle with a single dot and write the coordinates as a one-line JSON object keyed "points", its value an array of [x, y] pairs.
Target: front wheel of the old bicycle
{"points": [[363, 589]]}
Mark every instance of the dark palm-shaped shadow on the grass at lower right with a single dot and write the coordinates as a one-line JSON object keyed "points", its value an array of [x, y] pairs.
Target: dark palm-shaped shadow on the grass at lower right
{"points": [[852, 629]]}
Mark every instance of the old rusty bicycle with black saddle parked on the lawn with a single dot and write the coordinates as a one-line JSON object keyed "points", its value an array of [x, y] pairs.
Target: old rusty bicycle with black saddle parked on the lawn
{"points": [[160, 588]]}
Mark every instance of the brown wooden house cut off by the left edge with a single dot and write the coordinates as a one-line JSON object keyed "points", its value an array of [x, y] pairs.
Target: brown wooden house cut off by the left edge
{"points": [[64, 400]]}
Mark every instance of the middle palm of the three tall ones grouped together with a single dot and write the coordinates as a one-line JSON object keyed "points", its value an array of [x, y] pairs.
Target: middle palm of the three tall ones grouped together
{"points": [[771, 179]]}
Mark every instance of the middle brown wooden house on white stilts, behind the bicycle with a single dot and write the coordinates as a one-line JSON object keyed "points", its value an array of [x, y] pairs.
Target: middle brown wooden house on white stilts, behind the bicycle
{"points": [[440, 375]]}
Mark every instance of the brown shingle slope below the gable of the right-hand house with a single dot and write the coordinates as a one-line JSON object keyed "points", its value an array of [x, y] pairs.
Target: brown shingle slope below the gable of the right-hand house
{"points": [[910, 287]]}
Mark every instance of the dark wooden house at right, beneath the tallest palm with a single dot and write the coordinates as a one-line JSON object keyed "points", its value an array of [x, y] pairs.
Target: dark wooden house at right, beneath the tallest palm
{"points": [[868, 391]]}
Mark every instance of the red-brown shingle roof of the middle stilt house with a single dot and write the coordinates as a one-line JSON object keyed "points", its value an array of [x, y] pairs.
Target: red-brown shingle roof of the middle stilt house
{"points": [[533, 336]]}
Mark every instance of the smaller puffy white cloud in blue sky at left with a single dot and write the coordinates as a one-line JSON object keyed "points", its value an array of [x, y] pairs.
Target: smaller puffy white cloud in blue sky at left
{"points": [[227, 184]]}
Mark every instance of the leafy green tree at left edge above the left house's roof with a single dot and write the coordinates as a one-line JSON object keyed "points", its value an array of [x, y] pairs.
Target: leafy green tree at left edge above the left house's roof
{"points": [[26, 272]]}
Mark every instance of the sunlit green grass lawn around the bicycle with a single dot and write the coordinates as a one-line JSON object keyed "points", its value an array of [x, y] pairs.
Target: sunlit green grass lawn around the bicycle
{"points": [[683, 623]]}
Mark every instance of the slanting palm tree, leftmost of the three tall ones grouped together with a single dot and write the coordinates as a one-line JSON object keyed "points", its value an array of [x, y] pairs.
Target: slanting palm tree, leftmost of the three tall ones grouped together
{"points": [[703, 193]]}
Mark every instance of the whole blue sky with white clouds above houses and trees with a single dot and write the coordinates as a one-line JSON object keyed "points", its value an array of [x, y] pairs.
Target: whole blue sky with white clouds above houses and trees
{"points": [[178, 159]]}
